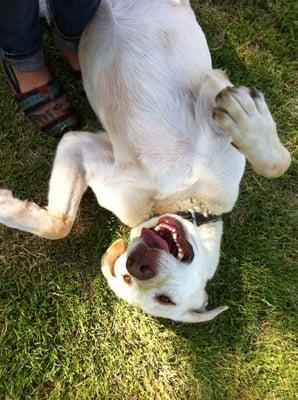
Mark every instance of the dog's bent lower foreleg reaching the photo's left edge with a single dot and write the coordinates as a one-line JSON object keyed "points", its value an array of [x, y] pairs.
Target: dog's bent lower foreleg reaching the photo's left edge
{"points": [[67, 186]]}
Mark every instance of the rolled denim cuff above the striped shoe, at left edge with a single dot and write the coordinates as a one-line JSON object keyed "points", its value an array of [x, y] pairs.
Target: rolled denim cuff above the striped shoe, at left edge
{"points": [[25, 62]]}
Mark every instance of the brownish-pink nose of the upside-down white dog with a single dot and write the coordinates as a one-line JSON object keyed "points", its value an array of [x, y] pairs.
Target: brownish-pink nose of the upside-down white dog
{"points": [[140, 263]]}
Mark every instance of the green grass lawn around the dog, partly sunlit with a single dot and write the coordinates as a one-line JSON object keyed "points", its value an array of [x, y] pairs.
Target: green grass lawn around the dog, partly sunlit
{"points": [[64, 335]]}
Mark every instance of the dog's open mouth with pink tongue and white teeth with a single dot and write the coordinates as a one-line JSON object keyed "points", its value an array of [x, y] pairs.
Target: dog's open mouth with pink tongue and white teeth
{"points": [[169, 235]]}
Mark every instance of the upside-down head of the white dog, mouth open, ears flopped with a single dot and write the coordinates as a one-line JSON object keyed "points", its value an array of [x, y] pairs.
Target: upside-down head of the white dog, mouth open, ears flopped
{"points": [[166, 267]]}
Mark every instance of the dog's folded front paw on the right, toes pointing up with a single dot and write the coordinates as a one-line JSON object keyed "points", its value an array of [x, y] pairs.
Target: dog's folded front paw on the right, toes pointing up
{"points": [[244, 115]]}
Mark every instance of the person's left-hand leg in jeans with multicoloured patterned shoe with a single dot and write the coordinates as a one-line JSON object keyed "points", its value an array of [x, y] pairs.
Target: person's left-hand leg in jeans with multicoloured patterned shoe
{"points": [[41, 99]]}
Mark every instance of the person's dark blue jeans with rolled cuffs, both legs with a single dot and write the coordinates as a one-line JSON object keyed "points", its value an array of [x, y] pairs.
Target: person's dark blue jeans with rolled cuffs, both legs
{"points": [[20, 30]]}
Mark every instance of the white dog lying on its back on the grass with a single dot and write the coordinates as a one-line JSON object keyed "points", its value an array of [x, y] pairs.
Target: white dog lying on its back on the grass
{"points": [[171, 161]]}
